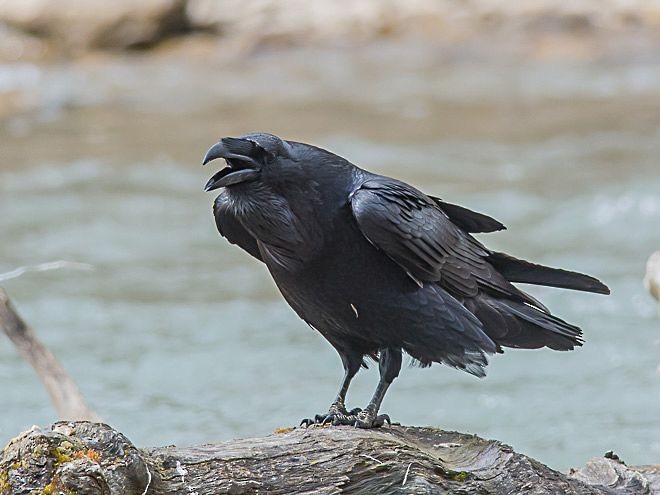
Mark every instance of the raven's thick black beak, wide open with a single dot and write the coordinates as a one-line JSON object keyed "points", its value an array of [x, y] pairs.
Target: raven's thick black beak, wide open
{"points": [[240, 167]]}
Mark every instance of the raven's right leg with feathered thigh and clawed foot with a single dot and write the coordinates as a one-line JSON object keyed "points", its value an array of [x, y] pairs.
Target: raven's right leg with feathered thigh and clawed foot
{"points": [[389, 365]]}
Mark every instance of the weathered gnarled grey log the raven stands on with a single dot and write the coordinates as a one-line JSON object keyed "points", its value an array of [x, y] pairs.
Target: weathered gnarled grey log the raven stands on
{"points": [[92, 458]]}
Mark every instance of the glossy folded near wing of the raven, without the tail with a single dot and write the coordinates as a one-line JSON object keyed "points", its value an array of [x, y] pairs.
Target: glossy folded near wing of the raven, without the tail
{"points": [[410, 228]]}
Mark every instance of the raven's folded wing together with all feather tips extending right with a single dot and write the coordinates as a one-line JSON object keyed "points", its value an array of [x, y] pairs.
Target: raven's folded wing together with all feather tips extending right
{"points": [[420, 235]]}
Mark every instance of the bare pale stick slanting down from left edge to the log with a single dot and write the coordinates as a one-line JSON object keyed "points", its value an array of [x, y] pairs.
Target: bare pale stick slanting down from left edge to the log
{"points": [[65, 395]]}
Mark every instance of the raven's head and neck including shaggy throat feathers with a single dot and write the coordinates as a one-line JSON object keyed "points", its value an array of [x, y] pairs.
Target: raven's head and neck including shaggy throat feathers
{"points": [[278, 190]]}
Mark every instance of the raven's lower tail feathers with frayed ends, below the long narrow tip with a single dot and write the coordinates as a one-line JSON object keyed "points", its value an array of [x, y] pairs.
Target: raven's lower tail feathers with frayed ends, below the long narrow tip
{"points": [[518, 325]]}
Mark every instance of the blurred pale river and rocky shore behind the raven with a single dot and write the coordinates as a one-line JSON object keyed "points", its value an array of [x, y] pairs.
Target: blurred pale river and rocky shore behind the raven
{"points": [[544, 114]]}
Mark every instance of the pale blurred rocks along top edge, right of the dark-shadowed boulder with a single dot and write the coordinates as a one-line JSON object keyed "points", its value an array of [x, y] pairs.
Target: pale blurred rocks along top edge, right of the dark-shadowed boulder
{"points": [[296, 20]]}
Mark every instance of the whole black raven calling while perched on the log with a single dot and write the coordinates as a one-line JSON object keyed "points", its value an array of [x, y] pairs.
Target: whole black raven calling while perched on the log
{"points": [[378, 267]]}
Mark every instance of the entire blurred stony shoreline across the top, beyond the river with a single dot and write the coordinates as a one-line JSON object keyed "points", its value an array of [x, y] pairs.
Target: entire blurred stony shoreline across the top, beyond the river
{"points": [[583, 29]]}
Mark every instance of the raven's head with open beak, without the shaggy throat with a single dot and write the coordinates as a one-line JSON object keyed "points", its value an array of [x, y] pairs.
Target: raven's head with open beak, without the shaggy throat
{"points": [[248, 158]]}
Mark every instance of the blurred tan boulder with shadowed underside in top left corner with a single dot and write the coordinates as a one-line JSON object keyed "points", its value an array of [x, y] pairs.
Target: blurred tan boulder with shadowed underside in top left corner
{"points": [[77, 25]]}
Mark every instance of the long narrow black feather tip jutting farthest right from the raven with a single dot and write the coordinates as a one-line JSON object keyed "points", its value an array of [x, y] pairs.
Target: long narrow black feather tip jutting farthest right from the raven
{"points": [[517, 270]]}
